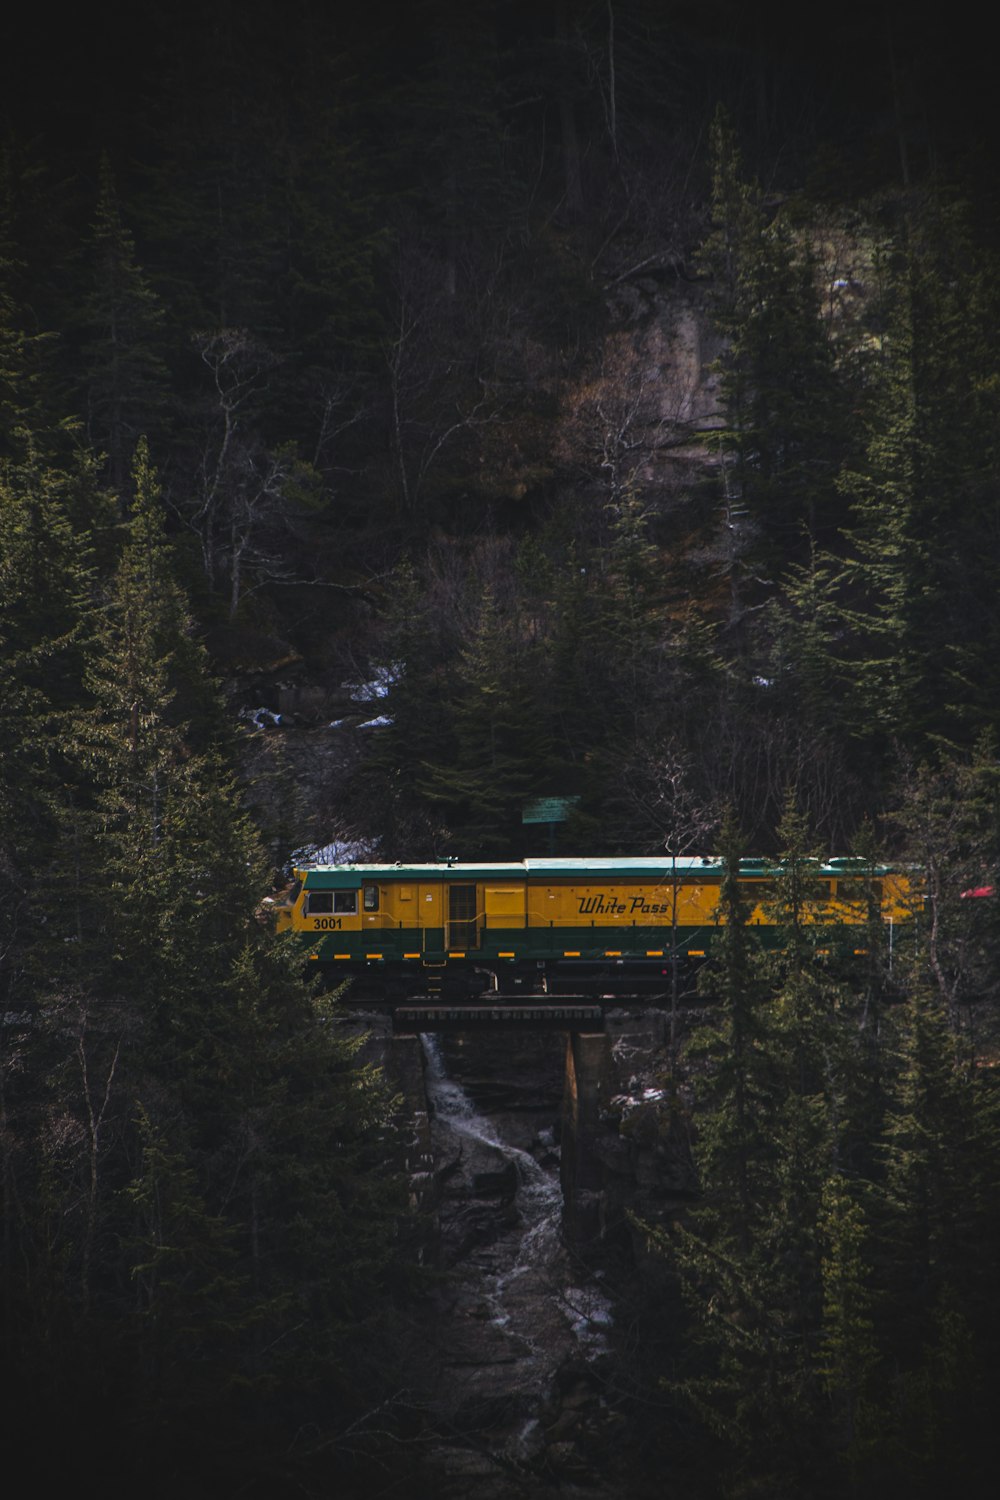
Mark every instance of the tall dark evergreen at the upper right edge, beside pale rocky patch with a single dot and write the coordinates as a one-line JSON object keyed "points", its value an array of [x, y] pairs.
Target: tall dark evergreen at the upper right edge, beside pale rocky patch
{"points": [[924, 472]]}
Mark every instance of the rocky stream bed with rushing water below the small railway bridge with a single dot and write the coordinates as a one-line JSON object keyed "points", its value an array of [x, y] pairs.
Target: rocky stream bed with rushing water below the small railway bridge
{"points": [[521, 1342]]}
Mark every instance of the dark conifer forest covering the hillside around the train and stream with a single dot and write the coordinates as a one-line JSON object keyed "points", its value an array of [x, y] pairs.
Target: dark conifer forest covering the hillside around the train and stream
{"points": [[617, 389]]}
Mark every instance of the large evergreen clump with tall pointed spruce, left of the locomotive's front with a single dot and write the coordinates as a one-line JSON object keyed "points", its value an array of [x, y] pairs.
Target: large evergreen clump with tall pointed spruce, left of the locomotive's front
{"points": [[200, 1199]]}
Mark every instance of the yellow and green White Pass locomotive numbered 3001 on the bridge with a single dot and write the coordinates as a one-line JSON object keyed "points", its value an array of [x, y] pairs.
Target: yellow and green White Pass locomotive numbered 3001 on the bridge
{"points": [[555, 926]]}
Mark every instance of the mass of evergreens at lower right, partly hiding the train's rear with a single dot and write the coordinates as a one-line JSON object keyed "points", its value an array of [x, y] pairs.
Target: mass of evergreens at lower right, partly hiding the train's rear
{"points": [[837, 1268]]}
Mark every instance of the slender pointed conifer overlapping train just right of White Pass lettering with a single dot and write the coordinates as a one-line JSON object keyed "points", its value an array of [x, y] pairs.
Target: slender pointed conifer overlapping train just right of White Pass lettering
{"points": [[728, 1253]]}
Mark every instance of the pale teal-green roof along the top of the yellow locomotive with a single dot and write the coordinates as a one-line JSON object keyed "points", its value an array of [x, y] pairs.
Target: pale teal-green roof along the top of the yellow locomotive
{"points": [[656, 868]]}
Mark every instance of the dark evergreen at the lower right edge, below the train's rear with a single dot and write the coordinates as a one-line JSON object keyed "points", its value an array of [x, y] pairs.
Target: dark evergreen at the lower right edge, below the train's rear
{"points": [[939, 1237]]}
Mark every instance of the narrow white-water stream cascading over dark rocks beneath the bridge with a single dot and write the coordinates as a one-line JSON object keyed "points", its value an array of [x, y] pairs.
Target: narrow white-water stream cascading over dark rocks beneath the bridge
{"points": [[521, 1331]]}
